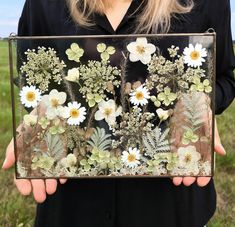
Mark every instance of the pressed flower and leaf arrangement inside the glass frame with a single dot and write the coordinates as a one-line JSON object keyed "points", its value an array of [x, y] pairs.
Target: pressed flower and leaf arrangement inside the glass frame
{"points": [[87, 117]]}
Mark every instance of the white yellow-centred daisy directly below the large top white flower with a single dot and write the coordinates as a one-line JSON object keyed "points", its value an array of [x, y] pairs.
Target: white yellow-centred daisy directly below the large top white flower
{"points": [[140, 96]]}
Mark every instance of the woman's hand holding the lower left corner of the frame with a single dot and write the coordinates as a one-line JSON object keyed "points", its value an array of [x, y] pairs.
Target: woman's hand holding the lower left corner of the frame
{"points": [[39, 187]]}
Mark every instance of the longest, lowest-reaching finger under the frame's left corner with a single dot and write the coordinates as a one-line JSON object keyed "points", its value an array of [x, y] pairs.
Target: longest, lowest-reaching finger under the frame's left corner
{"points": [[39, 190]]}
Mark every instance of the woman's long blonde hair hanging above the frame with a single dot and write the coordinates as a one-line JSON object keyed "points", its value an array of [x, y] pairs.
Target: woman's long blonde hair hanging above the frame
{"points": [[155, 16]]}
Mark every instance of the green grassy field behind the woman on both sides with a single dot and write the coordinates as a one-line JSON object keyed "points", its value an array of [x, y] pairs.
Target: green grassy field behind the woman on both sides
{"points": [[17, 211]]}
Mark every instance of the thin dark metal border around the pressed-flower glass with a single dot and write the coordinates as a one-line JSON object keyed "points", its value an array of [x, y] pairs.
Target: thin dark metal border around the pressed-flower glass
{"points": [[12, 37]]}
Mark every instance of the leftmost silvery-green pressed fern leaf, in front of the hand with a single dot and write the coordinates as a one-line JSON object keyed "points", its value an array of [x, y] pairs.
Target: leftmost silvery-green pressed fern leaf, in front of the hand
{"points": [[55, 146]]}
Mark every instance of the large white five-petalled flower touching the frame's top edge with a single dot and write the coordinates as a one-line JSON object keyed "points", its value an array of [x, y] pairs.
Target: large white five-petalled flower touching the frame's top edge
{"points": [[141, 50]]}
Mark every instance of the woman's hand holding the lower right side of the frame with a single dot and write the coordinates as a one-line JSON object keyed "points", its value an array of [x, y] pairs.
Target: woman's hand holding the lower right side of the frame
{"points": [[202, 181]]}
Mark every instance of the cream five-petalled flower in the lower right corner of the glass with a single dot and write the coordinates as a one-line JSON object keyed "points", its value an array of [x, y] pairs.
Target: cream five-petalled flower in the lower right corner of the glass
{"points": [[188, 156]]}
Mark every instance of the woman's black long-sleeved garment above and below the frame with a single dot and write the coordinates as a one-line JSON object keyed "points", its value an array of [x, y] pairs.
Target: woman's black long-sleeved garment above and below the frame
{"points": [[134, 202]]}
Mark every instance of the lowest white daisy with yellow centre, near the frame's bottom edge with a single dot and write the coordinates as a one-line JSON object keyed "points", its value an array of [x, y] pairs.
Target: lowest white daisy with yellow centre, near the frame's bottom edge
{"points": [[131, 157]]}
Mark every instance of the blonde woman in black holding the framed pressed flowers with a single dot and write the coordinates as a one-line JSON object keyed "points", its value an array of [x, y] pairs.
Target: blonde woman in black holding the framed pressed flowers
{"points": [[130, 202]]}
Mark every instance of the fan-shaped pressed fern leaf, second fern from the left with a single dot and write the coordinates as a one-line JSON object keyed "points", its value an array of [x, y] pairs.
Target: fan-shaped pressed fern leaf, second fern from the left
{"points": [[100, 140]]}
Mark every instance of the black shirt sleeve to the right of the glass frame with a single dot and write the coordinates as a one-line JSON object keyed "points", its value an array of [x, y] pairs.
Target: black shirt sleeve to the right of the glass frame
{"points": [[220, 20]]}
